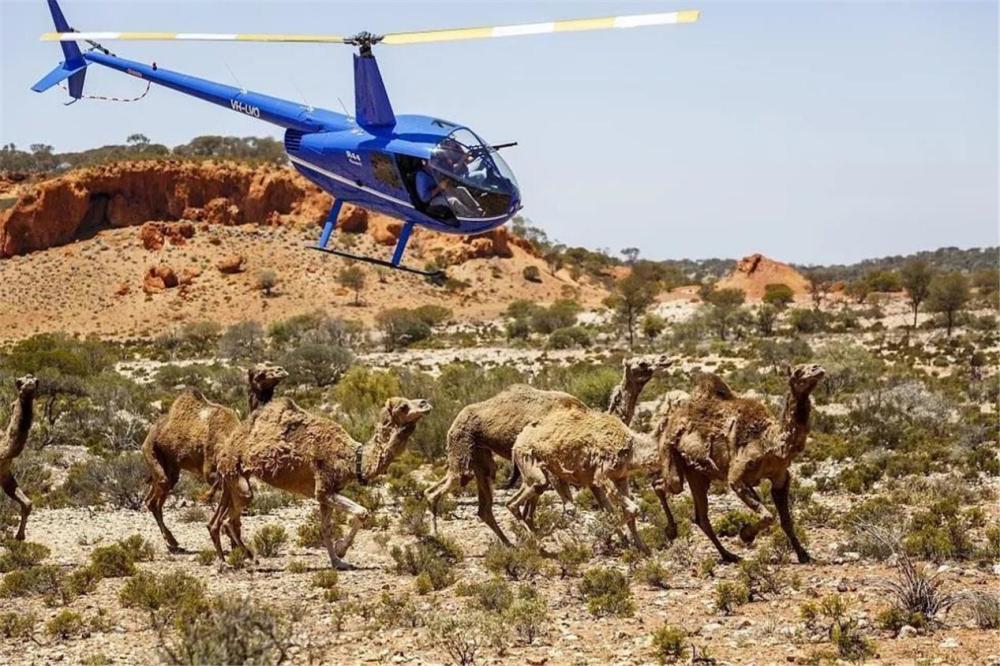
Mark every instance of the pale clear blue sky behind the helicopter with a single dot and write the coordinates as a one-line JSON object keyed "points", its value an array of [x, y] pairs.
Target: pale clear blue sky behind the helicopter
{"points": [[813, 132]]}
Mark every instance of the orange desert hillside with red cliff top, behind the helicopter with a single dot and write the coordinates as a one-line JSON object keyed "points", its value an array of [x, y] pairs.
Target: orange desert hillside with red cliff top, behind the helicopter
{"points": [[131, 249]]}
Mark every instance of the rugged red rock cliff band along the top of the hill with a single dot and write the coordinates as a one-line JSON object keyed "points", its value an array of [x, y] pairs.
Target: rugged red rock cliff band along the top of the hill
{"points": [[167, 196]]}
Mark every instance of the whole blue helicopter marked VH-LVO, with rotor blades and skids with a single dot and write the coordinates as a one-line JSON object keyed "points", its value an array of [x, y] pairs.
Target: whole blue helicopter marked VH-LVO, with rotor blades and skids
{"points": [[419, 169]]}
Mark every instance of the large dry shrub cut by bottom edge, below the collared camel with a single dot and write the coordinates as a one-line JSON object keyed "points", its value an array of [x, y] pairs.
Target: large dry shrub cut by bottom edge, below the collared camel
{"points": [[229, 631]]}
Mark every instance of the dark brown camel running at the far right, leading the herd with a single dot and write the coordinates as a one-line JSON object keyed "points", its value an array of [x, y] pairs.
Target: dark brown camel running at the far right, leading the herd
{"points": [[736, 440]]}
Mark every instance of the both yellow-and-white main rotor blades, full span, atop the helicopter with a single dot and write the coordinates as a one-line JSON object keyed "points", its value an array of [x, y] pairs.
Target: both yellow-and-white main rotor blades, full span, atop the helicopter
{"points": [[397, 38]]}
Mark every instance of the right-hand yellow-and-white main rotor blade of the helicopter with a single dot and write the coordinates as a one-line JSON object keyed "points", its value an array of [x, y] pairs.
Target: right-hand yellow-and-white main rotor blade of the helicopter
{"points": [[571, 25]]}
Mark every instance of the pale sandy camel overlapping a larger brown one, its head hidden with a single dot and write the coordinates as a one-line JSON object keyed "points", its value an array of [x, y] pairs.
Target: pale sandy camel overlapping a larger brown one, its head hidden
{"points": [[586, 449]]}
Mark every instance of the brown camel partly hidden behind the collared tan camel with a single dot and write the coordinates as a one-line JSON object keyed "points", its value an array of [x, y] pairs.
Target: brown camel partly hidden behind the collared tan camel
{"points": [[186, 437]]}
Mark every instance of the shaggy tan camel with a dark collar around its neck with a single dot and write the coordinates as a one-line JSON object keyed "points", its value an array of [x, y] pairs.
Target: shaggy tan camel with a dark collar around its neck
{"points": [[288, 448]]}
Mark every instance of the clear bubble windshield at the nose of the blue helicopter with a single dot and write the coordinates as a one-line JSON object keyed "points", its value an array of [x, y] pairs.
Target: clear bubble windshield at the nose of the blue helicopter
{"points": [[470, 178]]}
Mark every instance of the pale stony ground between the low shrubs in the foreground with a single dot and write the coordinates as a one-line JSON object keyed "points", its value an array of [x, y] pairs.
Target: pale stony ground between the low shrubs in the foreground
{"points": [[761, 632]]}
